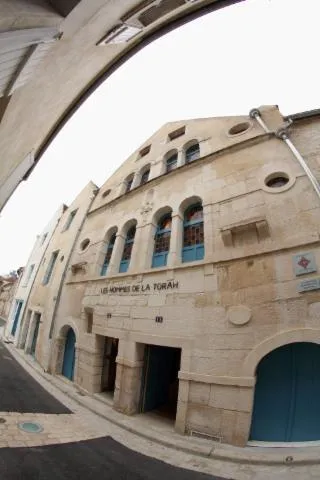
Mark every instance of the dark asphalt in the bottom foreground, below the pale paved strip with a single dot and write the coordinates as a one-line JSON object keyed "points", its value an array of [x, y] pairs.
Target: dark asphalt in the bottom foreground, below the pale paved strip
{"points": [[98, 459]]}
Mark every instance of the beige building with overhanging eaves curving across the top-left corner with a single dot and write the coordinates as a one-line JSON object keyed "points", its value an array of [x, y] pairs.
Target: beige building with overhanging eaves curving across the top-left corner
{"points": [[51, 94]]}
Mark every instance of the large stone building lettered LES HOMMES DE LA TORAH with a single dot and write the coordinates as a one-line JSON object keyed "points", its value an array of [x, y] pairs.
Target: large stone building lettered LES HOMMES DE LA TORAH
{"points": [[192, 287]]}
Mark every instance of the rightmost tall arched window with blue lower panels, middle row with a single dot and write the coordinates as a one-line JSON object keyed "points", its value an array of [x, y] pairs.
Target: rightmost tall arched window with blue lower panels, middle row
{"points": [[193, 235]]}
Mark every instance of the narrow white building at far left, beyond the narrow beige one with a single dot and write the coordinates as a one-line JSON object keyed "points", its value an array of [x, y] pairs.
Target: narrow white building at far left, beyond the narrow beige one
{"points": [[30, 271]]}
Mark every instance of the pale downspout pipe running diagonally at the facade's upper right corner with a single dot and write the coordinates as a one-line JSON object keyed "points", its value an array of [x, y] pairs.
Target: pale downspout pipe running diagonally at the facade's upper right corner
{"points": [[282, 134]]}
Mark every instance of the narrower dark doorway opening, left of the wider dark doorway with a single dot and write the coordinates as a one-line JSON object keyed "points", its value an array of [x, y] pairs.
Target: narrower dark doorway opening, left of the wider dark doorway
{"points": [[109, 367]]}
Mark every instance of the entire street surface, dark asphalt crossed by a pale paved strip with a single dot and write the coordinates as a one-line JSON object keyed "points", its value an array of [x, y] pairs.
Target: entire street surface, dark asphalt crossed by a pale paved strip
{"points": [[43, 457]]}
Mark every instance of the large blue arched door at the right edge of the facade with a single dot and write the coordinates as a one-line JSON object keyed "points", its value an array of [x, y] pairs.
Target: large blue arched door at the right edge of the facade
{"points": [[286, 401]]}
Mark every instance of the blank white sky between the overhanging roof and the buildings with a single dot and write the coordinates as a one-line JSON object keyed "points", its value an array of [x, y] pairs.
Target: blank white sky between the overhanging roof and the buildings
{"points": [[259, 52]]}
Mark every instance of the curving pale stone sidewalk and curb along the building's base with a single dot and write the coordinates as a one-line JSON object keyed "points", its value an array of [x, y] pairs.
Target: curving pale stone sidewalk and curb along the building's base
{"points": [[283, 456]]}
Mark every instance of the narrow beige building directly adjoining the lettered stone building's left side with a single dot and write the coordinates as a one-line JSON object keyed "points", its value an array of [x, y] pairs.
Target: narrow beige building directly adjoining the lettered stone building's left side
{"points": [[44, 296]]}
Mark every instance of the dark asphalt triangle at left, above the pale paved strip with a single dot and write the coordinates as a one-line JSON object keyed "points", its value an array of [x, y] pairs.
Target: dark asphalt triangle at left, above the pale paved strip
{"points": [[19, 392]]}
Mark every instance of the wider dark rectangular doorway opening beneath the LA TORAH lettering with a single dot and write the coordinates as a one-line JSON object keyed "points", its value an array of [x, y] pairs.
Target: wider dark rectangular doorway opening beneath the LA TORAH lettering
{"points": [[160, 384]]}
